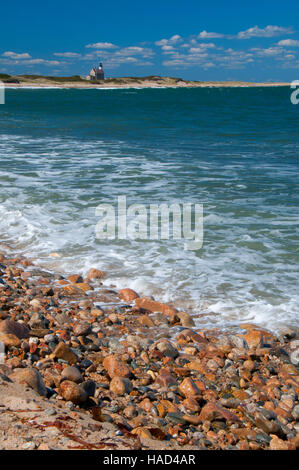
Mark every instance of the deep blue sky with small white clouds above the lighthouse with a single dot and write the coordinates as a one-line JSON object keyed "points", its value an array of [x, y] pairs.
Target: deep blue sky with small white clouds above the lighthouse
{"points": [[216, 40]]}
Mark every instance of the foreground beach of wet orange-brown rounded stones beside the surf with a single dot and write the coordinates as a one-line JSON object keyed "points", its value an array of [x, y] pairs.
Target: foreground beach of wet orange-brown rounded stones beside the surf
{"points": [[145, 376]]}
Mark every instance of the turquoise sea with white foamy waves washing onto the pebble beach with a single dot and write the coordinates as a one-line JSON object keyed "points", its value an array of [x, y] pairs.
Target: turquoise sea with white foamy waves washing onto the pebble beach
{"points": [[63, 152]]}
